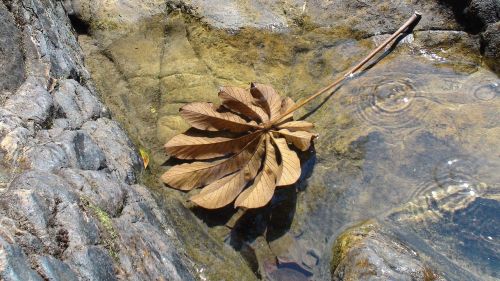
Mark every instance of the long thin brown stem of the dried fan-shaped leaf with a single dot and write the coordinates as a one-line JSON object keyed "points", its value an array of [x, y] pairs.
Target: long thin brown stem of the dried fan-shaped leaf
{"points": [[416, 16]]}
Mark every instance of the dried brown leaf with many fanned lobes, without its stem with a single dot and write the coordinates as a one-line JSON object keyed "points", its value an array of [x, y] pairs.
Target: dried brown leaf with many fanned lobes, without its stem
{"points": [[252, 148]]}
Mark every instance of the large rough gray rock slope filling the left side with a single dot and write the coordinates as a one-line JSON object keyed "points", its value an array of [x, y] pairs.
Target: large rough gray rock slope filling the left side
{"points": [[70, 208]]}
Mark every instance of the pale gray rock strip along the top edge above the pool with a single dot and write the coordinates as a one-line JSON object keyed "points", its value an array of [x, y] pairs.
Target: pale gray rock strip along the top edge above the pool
{"points": [[278, 15]]}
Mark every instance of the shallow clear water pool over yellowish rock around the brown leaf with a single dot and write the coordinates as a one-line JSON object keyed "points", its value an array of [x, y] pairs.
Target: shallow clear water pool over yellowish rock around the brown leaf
{"points": [[413, 141]]}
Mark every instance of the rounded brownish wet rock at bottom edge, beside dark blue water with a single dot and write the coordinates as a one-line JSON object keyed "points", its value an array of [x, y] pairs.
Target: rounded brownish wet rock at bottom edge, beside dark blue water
{"points": [[365, 253]]}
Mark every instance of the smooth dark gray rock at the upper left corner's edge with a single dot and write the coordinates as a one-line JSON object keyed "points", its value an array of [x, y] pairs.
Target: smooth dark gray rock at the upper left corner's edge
{"points": [[11, 58]]}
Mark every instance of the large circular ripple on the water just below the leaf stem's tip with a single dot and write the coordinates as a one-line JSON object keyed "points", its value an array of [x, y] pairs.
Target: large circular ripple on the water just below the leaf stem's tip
{"points": [[390, 104]]}
